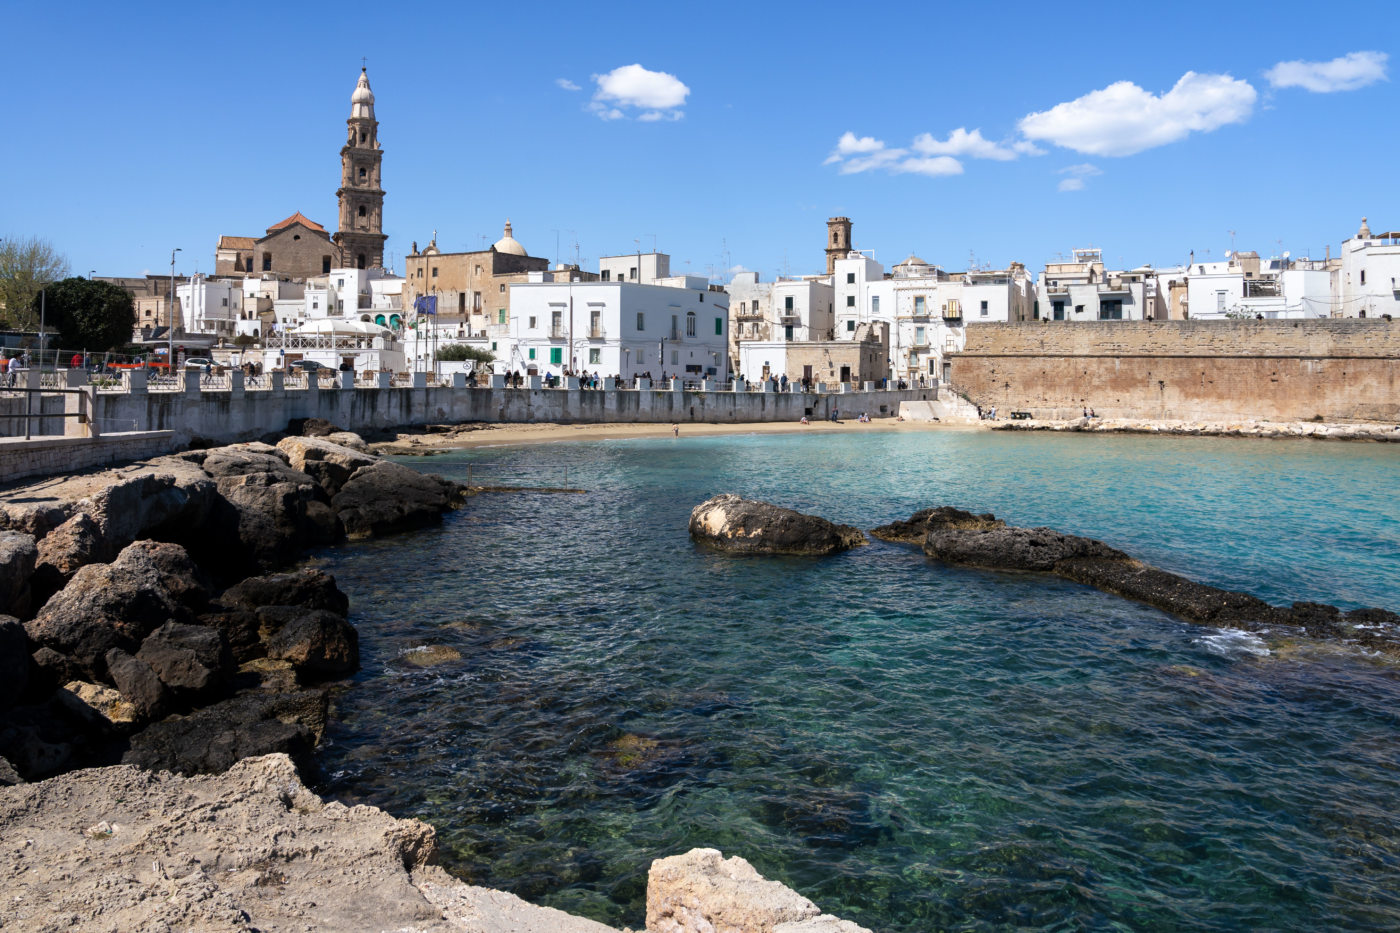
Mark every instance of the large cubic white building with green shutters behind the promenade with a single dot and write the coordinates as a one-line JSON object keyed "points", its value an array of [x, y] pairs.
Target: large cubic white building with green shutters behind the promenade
{"points": [[618, 329]]}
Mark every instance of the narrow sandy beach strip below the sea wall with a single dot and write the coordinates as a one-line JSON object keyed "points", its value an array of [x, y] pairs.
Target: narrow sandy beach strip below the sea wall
{"points": [[505, 435]]}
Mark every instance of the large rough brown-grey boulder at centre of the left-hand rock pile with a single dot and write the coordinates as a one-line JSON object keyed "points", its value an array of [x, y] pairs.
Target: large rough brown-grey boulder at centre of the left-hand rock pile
{"points": [[118, 604]]}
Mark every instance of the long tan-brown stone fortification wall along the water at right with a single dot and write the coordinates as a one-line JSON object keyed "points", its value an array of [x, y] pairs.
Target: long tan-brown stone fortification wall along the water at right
{"points": [[1191, 371]]}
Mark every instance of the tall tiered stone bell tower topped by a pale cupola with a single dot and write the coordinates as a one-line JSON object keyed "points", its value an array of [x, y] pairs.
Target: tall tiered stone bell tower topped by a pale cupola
{"points": [[362, 200]]}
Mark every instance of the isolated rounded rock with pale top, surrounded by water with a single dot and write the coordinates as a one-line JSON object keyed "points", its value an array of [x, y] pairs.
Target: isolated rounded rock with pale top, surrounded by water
{"points": [[744, 526]]}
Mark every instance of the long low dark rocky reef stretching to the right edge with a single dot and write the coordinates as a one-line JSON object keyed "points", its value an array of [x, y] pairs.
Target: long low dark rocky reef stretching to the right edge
{"points": [[985, 541]]}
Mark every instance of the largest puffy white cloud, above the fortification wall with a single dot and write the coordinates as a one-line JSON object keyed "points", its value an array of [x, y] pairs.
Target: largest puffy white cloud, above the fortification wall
{"points": [[1123, 120]]}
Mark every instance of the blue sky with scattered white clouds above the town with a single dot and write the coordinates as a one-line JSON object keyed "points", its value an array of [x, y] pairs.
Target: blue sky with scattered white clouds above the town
{"points": [[724, 135]]}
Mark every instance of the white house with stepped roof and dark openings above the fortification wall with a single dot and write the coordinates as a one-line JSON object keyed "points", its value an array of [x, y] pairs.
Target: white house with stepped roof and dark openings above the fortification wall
{"points": [[1084, 291]]}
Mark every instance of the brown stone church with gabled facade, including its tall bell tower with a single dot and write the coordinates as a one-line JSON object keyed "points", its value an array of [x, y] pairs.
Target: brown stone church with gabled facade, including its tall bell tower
{"points": [[302, 249]]}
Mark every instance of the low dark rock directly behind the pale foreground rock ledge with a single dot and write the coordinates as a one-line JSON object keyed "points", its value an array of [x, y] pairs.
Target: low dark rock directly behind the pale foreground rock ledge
{"points": [[212, 739]]}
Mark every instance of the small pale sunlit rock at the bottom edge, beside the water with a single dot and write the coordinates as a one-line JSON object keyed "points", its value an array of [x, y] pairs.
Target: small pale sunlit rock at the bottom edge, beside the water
{"points": [[702, 892]]}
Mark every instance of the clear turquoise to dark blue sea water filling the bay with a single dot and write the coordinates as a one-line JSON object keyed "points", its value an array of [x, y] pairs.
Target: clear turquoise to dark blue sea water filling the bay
{"points": [[915, 747]]}
